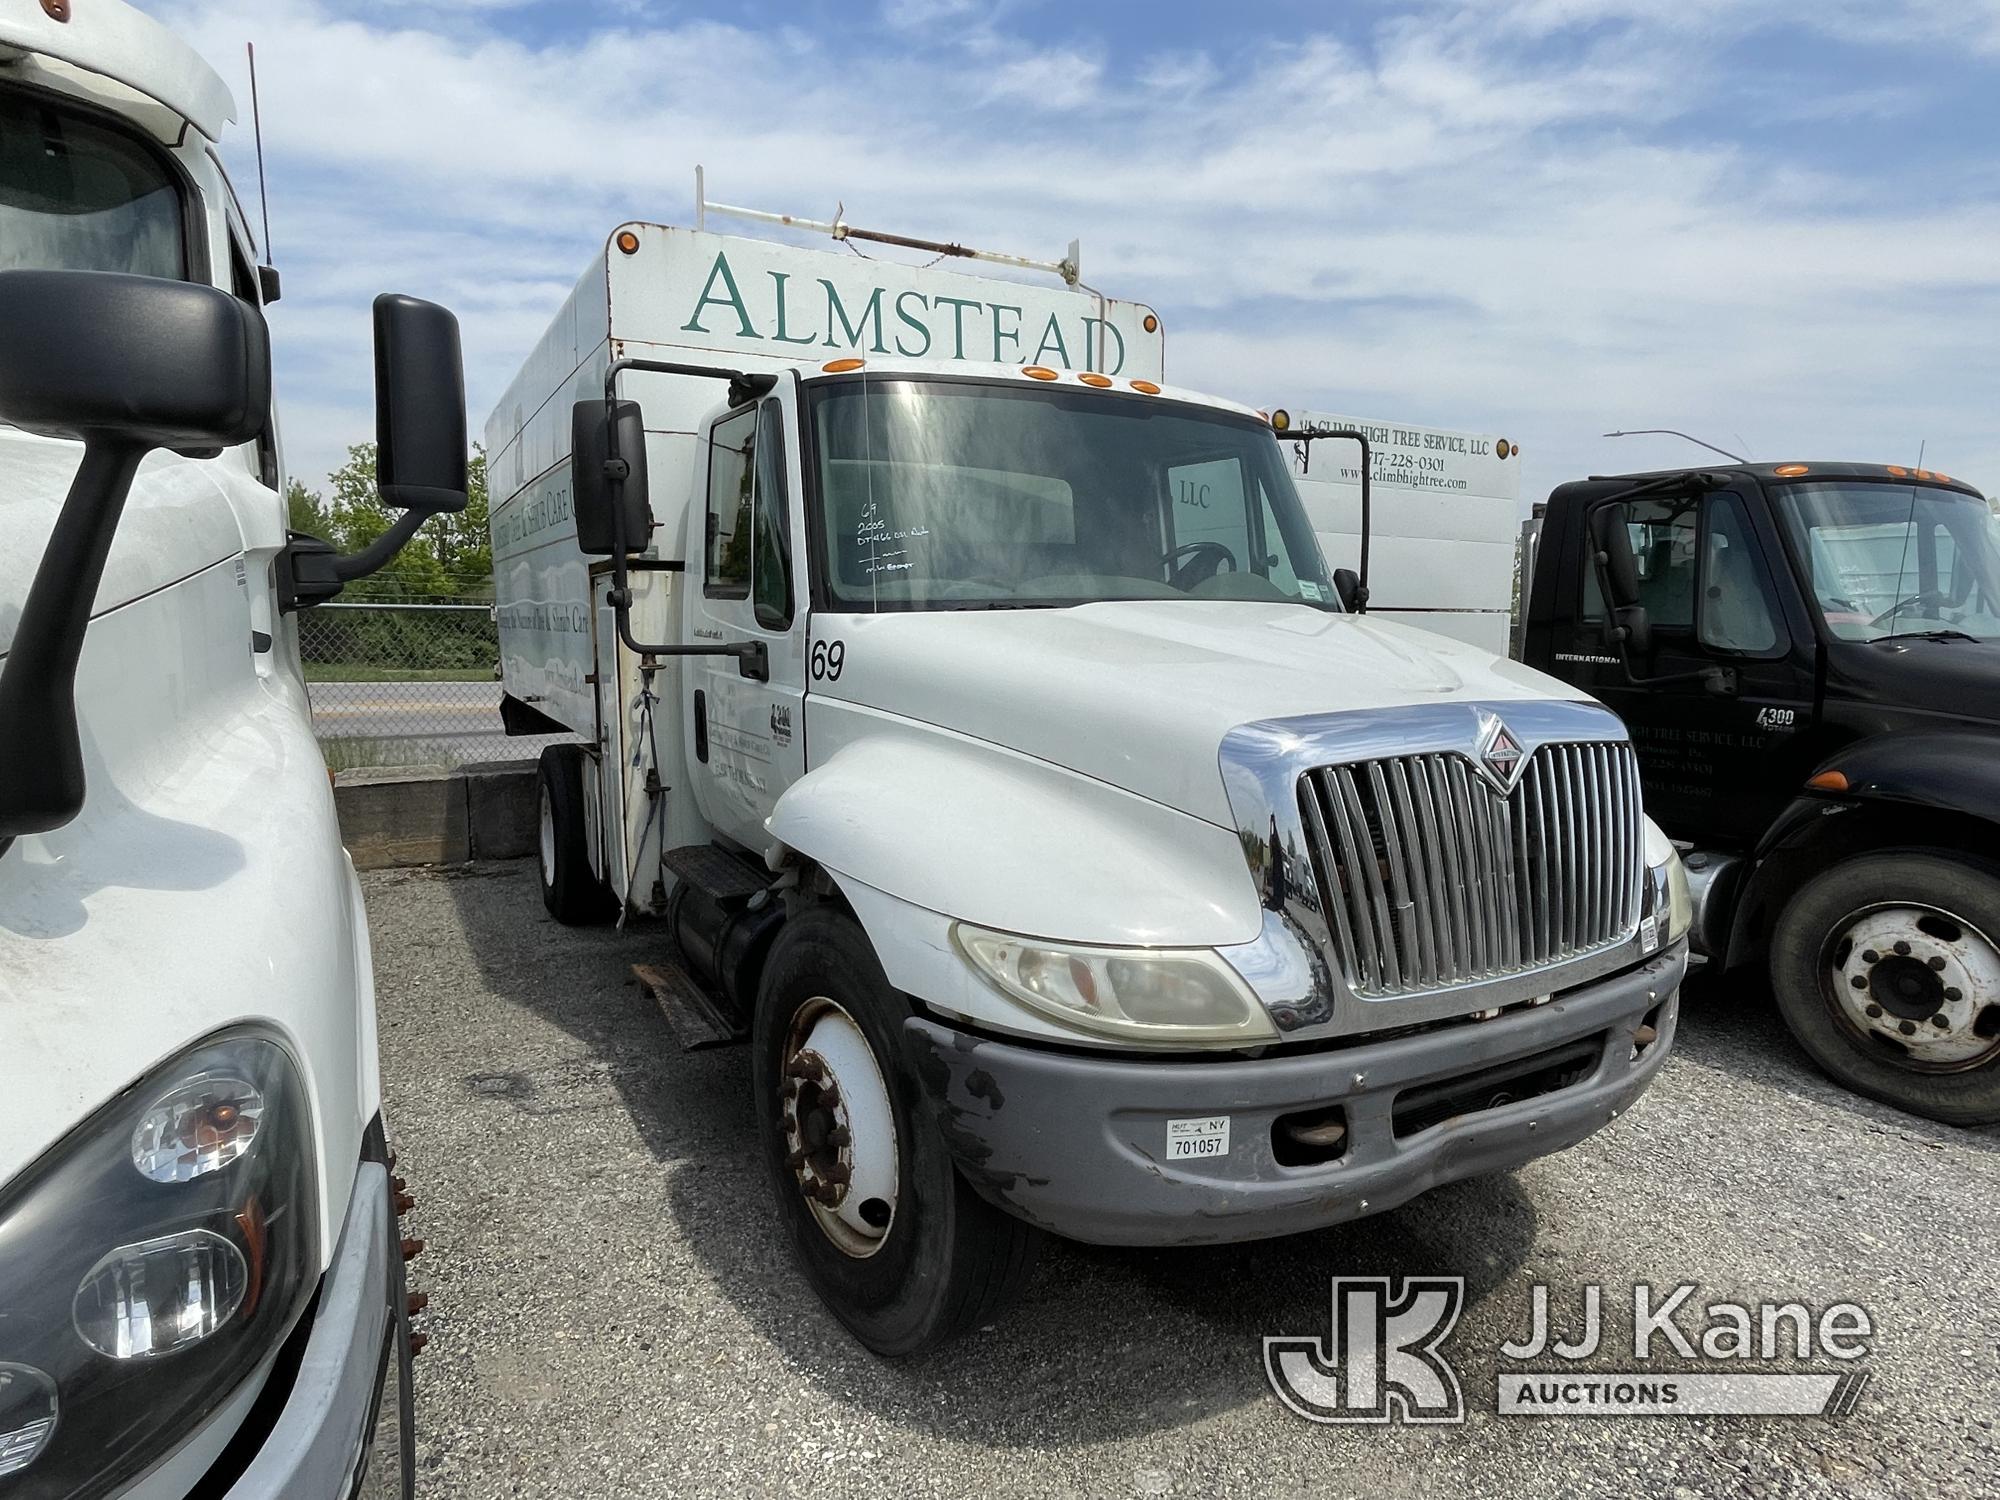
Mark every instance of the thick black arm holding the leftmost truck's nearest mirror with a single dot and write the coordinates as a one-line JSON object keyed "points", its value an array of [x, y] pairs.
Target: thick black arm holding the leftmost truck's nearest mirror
{"points": [[43, 769]]}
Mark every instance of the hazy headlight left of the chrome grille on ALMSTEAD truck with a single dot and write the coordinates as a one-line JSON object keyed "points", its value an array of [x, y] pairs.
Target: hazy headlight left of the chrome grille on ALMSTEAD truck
{"points": [[1161, 997]]}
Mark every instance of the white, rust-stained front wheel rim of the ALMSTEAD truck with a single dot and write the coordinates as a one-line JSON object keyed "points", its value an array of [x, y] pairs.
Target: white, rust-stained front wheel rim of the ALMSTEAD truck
{"points": [[839, 1127]]}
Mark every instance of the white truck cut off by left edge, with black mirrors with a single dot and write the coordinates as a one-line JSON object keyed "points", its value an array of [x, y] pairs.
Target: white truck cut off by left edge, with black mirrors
{"points": [[201, 1265]]}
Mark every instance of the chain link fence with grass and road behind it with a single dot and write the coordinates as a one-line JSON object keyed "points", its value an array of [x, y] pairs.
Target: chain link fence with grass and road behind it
{"points": [[409, 683]]}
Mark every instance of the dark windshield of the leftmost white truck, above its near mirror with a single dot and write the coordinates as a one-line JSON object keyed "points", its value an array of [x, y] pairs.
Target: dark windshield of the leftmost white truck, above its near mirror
{"points": [[81, 197]]}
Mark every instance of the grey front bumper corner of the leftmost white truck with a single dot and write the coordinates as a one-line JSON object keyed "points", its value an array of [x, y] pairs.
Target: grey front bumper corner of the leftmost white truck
{"points": [[349, 1385]]}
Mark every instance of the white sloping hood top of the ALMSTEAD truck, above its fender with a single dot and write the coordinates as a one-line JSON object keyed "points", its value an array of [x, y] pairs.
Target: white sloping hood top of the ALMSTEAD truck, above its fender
{"points": [[1141, 693]]}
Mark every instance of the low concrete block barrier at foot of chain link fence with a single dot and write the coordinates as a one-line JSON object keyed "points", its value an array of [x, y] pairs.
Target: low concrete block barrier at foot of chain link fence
{"points": [[393, 817]]}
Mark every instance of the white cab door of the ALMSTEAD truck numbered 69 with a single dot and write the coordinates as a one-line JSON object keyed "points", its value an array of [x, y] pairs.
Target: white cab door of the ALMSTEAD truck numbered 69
{"points": [[747, 739]]}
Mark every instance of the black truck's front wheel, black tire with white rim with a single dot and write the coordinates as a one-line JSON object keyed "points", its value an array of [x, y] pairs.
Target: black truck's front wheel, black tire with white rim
{"points": [[1889, 973]]}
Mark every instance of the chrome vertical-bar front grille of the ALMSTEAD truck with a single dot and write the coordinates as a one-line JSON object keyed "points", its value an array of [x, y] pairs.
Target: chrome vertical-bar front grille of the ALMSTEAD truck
{"points": [[1433, 877]]}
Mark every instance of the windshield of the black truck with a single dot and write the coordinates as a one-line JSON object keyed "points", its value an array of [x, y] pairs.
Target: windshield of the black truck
{"points": [[1899, 559]]}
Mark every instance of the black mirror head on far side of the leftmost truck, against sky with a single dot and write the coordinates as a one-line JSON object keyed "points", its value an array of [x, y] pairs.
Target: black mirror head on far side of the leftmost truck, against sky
{"points": [[421, 407]]}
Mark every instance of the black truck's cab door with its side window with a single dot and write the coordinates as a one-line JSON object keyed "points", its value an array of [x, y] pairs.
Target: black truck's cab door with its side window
{"points": [[1717, 765]]}
